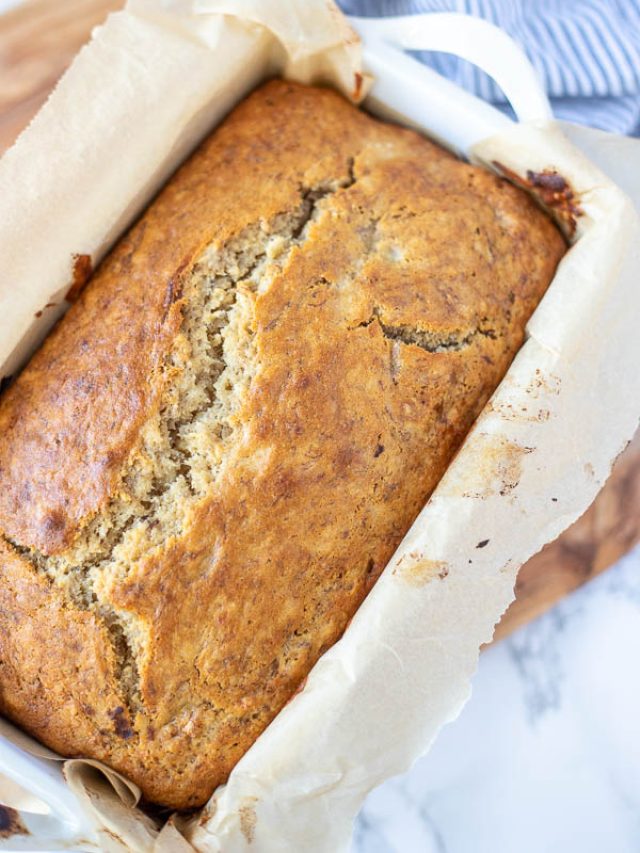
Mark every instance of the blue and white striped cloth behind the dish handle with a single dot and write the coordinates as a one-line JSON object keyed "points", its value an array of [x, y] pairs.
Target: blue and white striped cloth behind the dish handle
{"points": [[587, 52]]}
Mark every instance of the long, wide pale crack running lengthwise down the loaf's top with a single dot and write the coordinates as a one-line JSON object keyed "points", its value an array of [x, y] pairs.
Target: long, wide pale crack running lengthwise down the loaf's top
{"points": [[183, 447]]}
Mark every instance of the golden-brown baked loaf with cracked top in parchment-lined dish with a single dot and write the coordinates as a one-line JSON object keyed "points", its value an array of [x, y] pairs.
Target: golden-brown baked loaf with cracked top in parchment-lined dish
{"points": [[212, 457]]}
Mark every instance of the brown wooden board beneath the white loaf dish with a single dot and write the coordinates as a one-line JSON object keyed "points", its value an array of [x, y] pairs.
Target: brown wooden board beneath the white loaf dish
{"points": [[37, 42]]}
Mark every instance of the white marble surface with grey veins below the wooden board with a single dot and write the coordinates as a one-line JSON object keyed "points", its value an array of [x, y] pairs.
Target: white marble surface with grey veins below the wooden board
{"points": [[546, 754]]}
